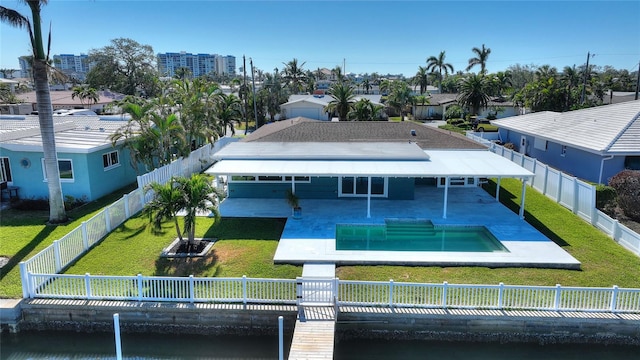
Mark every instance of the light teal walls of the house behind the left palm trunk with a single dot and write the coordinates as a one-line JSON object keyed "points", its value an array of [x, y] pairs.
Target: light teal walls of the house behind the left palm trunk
{"points": [[90, 180]]}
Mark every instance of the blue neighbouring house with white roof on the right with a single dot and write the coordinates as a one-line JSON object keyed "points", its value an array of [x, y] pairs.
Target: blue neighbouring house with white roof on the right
{"points": [[593, 144]]}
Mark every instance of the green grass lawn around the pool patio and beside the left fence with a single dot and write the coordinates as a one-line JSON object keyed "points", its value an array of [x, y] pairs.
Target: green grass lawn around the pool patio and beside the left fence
{"points": [[247, 246]]}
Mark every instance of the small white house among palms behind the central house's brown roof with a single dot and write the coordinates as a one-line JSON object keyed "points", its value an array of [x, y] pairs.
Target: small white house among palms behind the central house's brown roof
{"points": [[312, 106]]}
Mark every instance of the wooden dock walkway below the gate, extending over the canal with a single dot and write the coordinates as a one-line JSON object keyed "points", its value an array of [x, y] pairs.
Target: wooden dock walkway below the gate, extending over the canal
{"points": [[313, 337]]}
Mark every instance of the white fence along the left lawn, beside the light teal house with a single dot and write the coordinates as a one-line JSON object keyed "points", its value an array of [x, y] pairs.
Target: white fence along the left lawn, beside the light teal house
{"points": [[64, 251]]}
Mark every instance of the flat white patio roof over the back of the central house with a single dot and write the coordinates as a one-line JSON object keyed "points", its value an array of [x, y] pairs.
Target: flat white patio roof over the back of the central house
{"points": [[442, 163]]}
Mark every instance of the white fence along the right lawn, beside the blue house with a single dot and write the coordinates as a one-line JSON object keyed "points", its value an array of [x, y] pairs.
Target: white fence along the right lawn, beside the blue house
{"points": [[570, 192]]}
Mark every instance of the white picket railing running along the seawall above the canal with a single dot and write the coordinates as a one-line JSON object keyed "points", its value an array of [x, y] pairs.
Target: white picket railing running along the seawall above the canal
{"points": [[344, 293]]}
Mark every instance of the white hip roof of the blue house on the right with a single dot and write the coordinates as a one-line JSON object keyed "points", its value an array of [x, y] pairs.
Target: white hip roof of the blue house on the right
{"points": [[604, 129]]}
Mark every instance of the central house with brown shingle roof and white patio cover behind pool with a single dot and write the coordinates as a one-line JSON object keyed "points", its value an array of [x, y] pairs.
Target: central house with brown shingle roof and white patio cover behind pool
{"points": [[330, 160]]}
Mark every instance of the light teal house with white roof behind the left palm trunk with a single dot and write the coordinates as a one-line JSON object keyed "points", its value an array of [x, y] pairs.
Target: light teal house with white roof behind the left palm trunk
{"points": [[90, 167]]}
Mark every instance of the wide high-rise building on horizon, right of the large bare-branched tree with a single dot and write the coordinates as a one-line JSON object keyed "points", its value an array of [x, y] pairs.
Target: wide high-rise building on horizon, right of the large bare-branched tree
{"points": [[198, 64]]}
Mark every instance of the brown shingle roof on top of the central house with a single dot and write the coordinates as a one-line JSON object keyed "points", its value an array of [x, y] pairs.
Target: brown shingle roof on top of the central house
{"points": [[306, 130]]}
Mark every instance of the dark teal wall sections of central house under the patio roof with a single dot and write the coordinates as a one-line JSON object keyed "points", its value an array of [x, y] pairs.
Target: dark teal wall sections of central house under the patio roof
{"points": [[318, 188]]}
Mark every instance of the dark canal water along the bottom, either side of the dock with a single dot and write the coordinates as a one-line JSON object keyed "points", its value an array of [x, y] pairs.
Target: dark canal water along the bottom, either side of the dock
{"points": [[36, 345]]}
